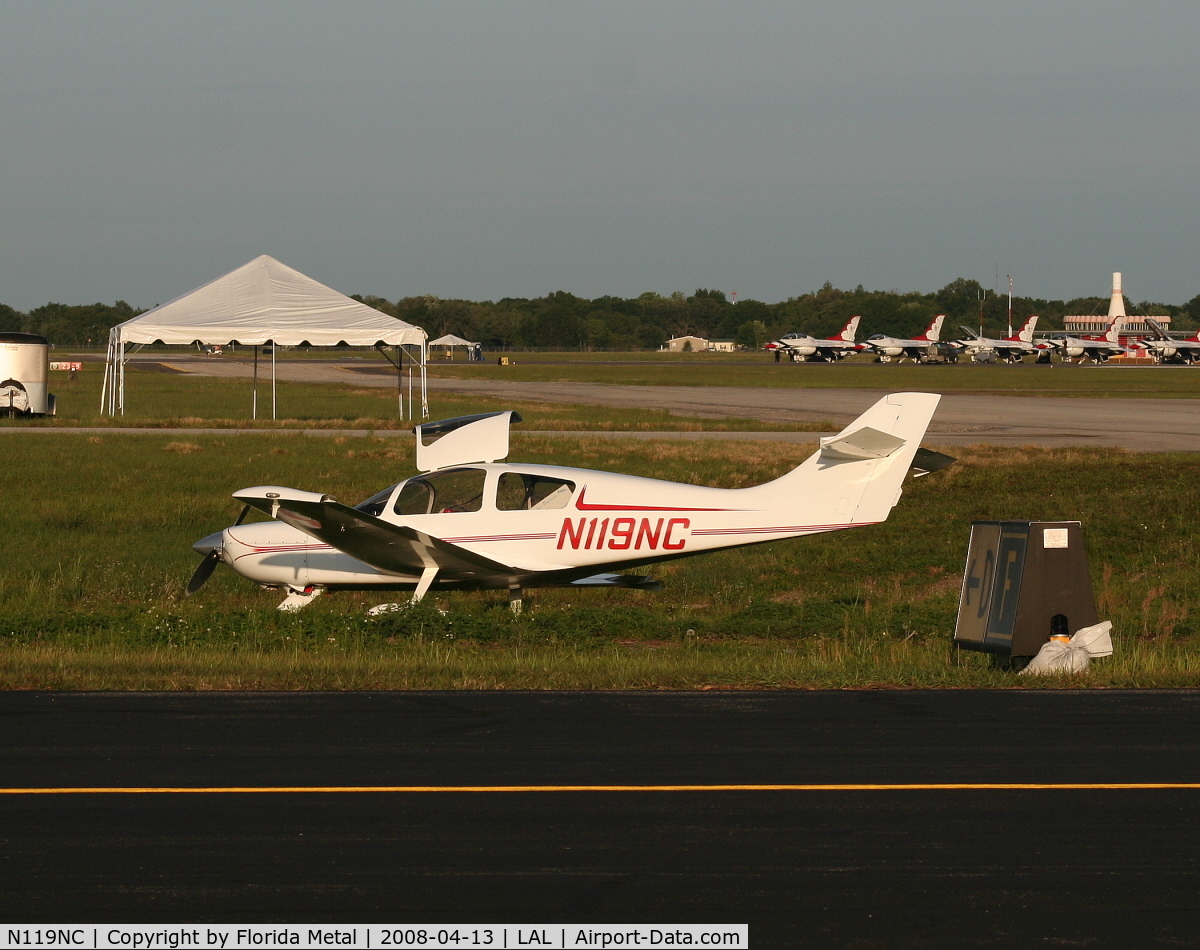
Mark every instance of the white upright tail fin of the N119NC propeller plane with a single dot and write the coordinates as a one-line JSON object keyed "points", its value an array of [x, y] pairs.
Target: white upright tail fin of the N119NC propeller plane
{"points": [[856, 476]]}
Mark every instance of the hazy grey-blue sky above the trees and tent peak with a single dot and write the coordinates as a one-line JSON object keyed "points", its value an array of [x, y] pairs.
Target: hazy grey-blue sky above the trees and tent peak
{"points": [[487, 149]]}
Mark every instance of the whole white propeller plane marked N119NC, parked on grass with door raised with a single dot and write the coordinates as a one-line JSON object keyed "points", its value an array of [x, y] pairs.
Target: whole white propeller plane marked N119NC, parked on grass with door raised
{"points": [[473, 522]]}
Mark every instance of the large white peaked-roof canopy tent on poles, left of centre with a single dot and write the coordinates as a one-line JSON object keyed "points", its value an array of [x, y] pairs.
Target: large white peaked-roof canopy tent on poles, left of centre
{"points": [[266, 302]]}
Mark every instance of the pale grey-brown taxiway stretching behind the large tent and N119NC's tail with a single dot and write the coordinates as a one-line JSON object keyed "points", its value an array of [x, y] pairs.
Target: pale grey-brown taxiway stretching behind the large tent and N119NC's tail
{"points": [[962, 419]]}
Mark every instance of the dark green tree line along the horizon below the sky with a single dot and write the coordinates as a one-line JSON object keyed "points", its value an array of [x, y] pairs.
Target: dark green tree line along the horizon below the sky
{"points": [[562, 321]]}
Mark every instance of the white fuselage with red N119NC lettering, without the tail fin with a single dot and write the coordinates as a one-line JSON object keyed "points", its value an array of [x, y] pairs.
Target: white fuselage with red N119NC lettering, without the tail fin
{"points": [[597, 521]]}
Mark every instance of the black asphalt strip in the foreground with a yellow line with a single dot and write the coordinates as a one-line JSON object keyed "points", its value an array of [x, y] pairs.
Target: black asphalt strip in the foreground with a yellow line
{"points": [[825, 868]]}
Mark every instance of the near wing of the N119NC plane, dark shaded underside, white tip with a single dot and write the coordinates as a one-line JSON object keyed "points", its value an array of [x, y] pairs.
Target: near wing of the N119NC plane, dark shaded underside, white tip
{"points": [[395, 549]]}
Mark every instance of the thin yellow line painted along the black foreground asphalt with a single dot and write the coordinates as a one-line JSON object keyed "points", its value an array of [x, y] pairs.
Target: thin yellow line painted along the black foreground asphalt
{"points": [[479, 790]]}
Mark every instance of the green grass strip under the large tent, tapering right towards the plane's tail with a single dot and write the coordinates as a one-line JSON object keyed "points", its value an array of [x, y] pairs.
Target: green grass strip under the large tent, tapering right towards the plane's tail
{"points": [[161, 400]]}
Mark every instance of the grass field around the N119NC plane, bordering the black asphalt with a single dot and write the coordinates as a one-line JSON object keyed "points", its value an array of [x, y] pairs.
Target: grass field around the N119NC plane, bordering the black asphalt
{"points": [[100, 530]]}
